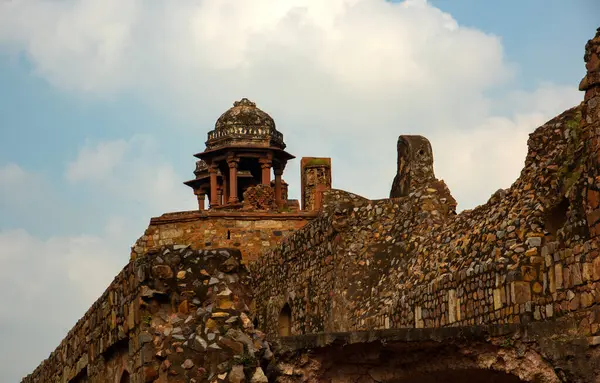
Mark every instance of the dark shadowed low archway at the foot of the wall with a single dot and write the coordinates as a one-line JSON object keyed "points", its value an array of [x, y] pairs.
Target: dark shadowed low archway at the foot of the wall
{"points": [[418, 362]]}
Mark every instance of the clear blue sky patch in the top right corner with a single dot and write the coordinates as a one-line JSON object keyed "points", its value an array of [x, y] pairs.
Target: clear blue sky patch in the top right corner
{"points": [[544, 38]]}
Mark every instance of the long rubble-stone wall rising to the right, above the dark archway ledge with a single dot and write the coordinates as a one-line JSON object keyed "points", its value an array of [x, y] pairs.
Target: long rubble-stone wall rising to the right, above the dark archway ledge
{"points": [[530, 253]]}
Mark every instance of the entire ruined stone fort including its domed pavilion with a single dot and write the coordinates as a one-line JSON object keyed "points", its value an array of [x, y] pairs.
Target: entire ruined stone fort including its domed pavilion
{"points": [[398, 290]]}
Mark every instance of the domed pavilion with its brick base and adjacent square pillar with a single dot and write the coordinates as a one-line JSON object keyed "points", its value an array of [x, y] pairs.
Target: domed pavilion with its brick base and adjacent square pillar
{"points": [[247, 209]]}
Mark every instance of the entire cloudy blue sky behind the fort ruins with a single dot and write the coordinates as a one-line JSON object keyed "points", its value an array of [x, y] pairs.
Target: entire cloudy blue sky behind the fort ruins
{"points": [[104, 102]]}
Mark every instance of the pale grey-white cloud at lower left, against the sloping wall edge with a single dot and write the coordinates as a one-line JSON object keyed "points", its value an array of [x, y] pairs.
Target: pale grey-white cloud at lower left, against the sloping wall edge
{"points": [[46, 286]]}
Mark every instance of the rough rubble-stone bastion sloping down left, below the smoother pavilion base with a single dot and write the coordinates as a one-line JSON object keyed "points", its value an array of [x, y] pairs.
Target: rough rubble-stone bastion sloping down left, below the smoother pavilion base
{"points": [[176, 315]]}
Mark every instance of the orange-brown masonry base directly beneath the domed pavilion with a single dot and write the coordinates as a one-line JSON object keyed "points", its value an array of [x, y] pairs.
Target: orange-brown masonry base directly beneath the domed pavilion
{"points": [[250, 232]]}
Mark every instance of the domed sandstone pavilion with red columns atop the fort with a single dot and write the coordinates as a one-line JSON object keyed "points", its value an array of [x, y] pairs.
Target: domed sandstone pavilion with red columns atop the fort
{"points": [[240, 153]]}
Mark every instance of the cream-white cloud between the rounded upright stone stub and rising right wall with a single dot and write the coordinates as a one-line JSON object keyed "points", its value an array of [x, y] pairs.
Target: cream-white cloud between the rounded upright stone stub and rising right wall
{"points": [[477, 162]]}
